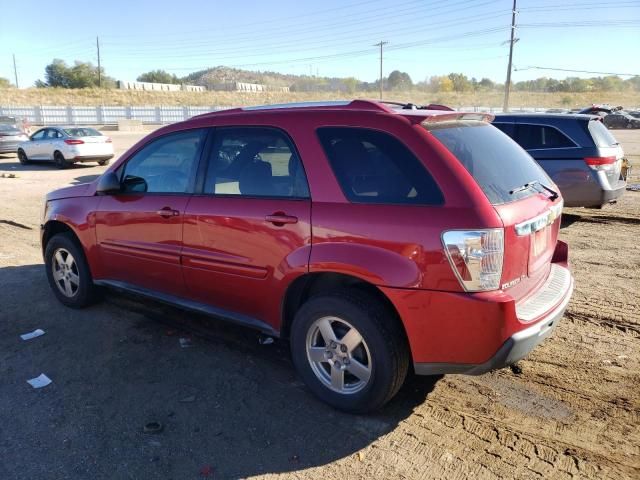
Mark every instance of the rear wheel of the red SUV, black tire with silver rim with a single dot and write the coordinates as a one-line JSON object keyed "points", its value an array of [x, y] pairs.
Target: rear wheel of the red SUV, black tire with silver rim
{"points": [[350, 350]]}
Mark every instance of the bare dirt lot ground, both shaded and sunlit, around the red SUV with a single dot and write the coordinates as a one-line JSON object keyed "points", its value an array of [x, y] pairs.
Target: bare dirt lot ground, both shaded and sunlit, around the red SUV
{"points": [[233, 408]]}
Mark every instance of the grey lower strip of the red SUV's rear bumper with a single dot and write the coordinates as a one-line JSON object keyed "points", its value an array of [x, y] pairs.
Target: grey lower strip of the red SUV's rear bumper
{"points": [[515, 348]]}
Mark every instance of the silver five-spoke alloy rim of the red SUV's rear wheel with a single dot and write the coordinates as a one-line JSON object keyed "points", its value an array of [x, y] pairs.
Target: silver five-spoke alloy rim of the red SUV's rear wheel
{"points": [[338, 355]]}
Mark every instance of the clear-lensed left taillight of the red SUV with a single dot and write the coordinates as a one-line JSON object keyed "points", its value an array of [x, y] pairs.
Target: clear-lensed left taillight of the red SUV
{"points": [[476, 257]]}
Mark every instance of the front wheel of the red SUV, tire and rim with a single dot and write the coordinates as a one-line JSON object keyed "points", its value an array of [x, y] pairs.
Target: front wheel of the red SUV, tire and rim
{"points": [[68, 272]]}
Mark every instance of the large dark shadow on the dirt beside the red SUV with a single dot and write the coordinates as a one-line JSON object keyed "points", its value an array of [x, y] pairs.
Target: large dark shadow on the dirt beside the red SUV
{"points": [[227, 402]]}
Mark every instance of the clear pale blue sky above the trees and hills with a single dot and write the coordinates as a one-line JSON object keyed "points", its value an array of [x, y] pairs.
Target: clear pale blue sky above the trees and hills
{"points": [[328, 38]]}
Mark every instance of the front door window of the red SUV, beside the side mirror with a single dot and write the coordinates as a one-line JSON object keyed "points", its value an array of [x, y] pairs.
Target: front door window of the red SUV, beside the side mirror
{"points": [[166, 165]]}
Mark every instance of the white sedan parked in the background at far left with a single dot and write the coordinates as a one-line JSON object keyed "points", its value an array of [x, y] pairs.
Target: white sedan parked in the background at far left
{"points": [[66, 145]]}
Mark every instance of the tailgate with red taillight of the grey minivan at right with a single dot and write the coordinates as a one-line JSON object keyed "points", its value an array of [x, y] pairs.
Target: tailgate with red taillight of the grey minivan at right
{"points": [[610, 154]]}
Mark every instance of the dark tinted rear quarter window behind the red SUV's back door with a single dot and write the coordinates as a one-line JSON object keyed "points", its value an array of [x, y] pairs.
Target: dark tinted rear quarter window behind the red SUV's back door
{"points": [[374, 167]]}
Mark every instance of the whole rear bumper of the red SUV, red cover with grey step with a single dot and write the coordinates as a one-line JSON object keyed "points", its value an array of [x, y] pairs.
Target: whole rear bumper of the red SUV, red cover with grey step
{"points": [[476, 332]]}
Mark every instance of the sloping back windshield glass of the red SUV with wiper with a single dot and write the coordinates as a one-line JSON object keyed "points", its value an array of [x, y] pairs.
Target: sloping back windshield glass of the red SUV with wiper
{"points": [[498, 164]]}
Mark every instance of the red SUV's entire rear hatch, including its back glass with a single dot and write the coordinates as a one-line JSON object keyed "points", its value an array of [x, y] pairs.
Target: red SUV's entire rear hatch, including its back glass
{"points": [[521, 192]]}
